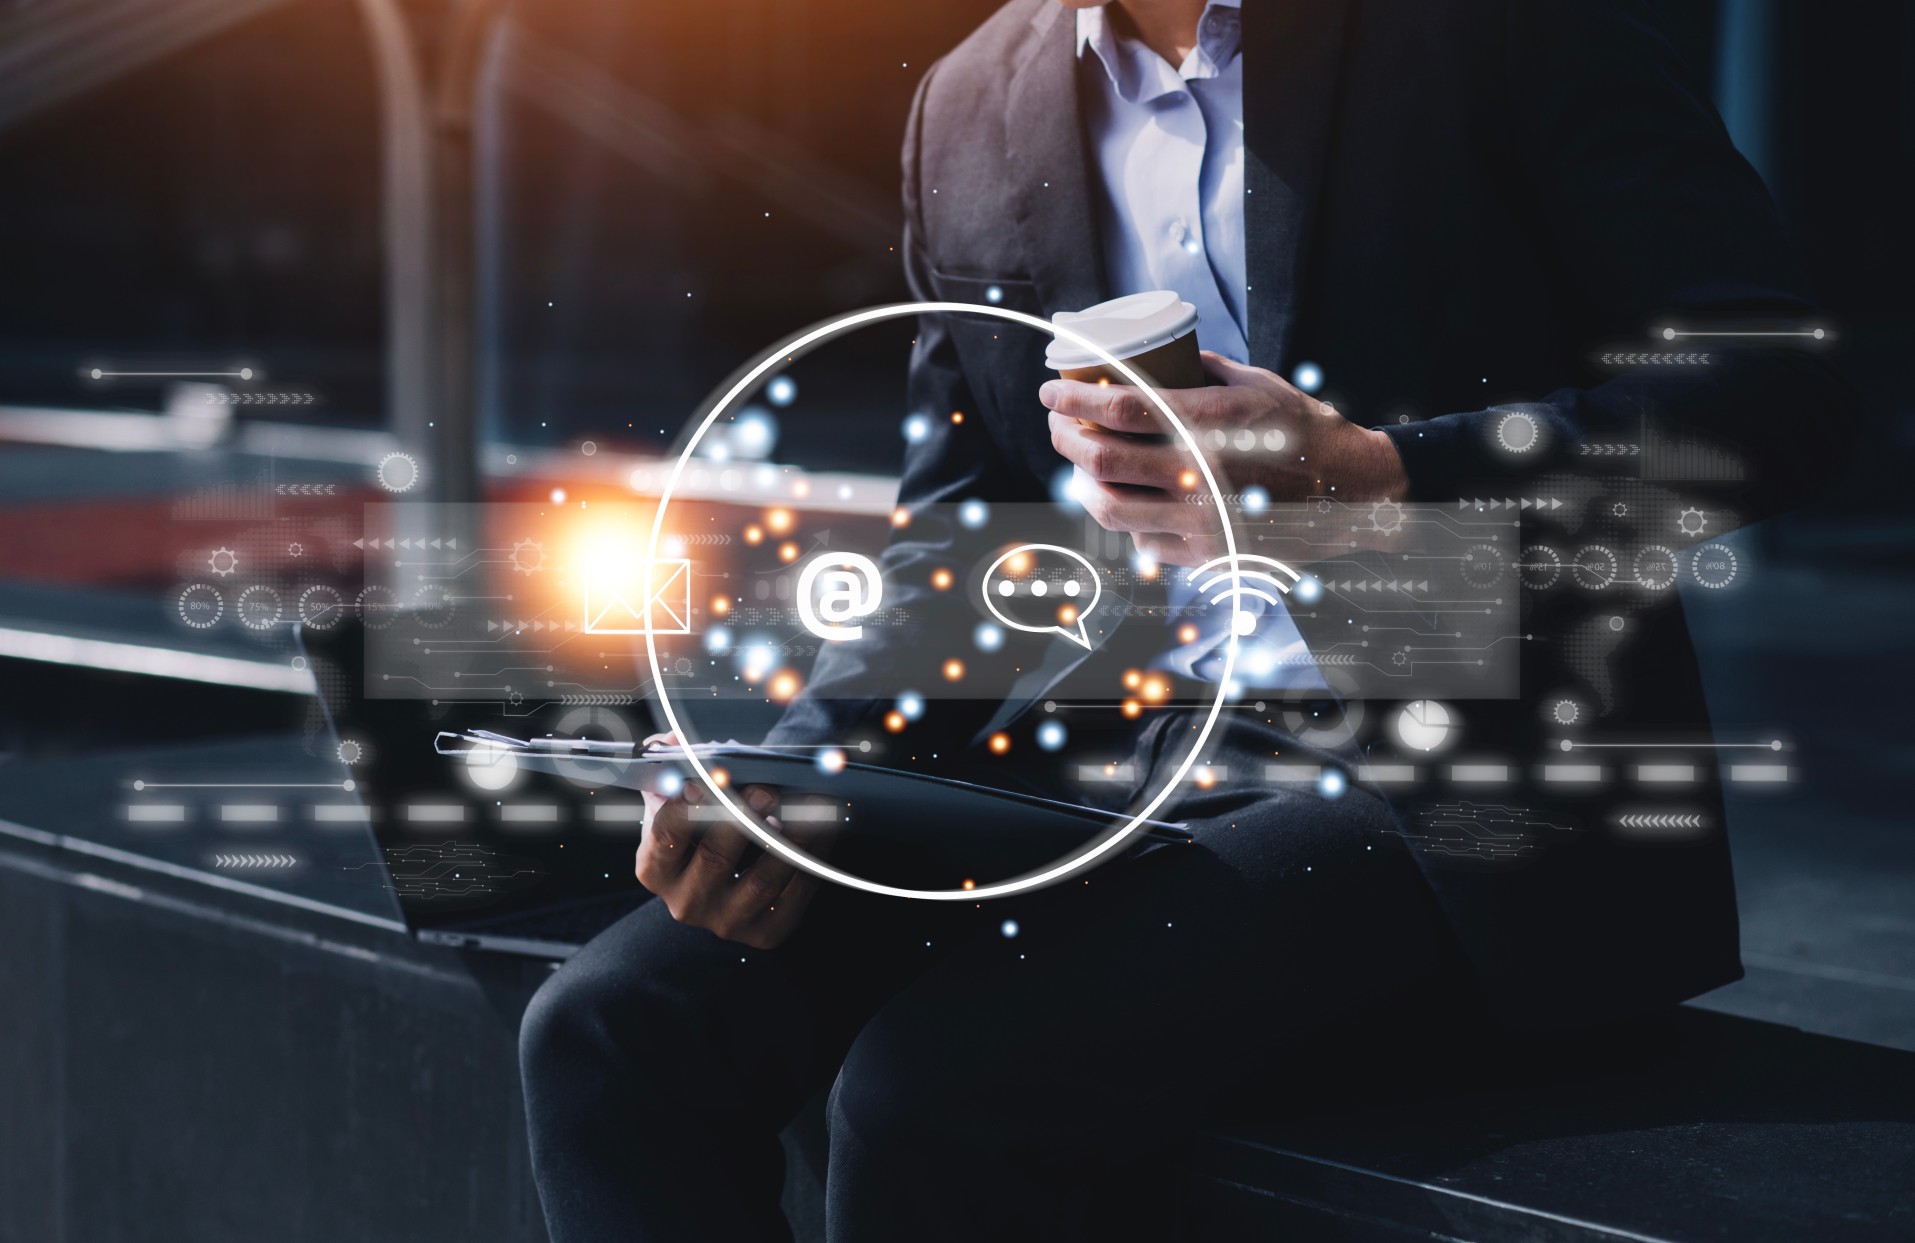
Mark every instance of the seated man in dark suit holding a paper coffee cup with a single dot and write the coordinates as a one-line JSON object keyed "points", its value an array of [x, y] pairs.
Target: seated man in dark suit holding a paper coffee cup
{"points": [[1447, 208]]}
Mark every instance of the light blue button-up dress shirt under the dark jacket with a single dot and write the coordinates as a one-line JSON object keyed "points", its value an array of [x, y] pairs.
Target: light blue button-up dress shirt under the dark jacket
{"points": [[1167, 147]]}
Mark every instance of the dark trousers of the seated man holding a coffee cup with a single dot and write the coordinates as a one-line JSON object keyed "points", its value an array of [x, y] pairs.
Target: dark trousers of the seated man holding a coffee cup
{"points": [[983, 1085]]}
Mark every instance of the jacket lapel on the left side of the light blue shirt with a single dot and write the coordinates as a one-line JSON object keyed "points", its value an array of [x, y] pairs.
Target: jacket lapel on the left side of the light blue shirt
{"points": [[1050, 168]]}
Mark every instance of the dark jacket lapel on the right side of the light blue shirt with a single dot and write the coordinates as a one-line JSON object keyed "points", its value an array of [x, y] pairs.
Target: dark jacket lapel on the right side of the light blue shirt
{"points": [[1292, 68]]}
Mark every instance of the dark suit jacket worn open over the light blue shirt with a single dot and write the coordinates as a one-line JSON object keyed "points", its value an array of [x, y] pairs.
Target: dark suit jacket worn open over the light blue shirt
{"points": [[1451, 206]]}
